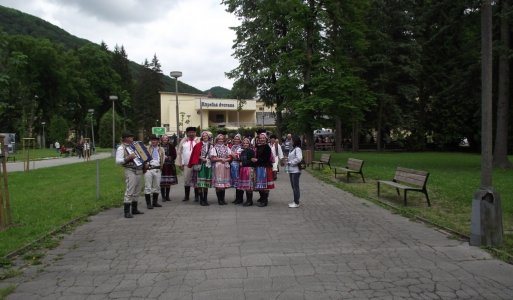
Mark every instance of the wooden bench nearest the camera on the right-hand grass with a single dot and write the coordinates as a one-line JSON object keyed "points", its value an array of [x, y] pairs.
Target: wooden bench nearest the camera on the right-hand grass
{"points": [[408, 180]]}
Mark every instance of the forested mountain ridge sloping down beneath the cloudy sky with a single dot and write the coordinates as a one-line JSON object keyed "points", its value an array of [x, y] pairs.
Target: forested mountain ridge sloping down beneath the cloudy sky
{"points": [[15, 22]]}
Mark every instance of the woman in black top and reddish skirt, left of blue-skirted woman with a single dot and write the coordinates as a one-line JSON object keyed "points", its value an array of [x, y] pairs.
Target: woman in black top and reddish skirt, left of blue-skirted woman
{"points": [[246, 180]]}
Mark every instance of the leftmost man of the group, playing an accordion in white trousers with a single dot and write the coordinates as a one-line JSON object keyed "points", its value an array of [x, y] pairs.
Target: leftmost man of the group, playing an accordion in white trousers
{"points": [[125, 158]]}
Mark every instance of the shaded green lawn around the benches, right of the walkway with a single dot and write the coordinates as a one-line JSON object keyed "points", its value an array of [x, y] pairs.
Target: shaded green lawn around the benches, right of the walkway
{"points": [[453, 180]]}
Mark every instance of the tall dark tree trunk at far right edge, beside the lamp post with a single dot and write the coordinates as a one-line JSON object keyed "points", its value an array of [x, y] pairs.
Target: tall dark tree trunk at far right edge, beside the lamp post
{"points": [[500, 154]]}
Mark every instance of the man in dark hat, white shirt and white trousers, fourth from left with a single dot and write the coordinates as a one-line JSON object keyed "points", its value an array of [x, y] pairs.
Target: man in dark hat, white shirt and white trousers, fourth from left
{"points": [[184, 152]]}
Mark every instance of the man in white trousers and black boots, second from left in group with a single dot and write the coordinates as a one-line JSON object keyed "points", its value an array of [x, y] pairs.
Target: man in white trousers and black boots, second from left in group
{"points": [[153, 173]]}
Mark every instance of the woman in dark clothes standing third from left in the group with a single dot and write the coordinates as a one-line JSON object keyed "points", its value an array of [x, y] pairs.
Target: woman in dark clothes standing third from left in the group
{"points": [[168, 177]]}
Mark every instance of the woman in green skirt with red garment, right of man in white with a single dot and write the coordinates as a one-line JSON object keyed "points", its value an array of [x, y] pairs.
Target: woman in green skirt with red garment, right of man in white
{"points": [[201, 165]]}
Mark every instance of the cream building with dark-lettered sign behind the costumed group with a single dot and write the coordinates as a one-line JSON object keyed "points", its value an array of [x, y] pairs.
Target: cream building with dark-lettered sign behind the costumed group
{"points": [[200, 110]]}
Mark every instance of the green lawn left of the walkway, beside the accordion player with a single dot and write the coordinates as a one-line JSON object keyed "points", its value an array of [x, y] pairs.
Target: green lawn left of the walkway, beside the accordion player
{"points": [[44, 200]]}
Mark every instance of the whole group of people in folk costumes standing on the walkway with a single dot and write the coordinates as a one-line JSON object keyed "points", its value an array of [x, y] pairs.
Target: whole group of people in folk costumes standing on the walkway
{"points": [[248, 165]]}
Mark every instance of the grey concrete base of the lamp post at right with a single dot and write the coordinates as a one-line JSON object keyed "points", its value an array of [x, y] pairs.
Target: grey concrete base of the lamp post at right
{"points": [[486, 221]]}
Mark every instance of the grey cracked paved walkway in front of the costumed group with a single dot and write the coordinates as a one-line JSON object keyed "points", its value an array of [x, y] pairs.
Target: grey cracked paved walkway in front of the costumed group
{"points": [[335, 246]]}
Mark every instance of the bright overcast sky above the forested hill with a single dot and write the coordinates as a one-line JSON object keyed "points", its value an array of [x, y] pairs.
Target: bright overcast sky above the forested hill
{"points": [[191, 36]]}
